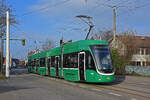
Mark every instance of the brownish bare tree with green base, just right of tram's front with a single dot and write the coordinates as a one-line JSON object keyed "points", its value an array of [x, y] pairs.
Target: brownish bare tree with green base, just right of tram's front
{"points": [[124, 50]]}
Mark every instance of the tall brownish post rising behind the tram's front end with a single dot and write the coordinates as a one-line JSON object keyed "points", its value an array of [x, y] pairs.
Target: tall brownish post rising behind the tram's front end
{"points": [[114, 26]]}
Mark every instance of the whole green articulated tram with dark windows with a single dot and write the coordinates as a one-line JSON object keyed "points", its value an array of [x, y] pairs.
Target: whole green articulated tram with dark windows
{"points": [[84, 60]]}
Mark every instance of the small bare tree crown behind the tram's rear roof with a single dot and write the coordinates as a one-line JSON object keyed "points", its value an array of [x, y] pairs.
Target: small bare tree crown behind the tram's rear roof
{"points": [[48, 44]]}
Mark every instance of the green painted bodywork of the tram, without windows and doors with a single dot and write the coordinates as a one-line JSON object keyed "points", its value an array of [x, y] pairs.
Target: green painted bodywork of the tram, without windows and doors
{"points": [[70, 74]]}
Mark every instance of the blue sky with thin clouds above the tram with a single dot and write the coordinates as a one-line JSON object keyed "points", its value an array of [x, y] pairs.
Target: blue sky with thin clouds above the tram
{"points": [[40, 20]]}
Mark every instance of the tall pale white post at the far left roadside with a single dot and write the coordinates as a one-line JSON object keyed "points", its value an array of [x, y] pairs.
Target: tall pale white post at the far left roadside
{"points": [[7, 44]]}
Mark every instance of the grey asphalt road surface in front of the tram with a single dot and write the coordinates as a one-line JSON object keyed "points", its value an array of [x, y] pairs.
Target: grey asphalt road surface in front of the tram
{"points": [[24, 86]]}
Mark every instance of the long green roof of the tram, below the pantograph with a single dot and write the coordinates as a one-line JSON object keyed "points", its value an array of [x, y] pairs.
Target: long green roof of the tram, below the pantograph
{"points": [[69, 48]]}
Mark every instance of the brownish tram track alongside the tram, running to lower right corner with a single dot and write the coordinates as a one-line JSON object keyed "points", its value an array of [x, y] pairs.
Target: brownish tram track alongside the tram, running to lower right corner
{"points": [[133, 92]]}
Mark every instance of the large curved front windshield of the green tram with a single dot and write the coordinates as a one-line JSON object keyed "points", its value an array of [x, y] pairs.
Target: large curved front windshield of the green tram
{"points": [[102, 57]]}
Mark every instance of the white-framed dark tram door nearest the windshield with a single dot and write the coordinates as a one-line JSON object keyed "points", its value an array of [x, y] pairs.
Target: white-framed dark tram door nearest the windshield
{"points": [[81, 65]]}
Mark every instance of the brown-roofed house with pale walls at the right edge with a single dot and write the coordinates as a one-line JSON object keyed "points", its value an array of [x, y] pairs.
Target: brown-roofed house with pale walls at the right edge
{"points": [[141, 55]]}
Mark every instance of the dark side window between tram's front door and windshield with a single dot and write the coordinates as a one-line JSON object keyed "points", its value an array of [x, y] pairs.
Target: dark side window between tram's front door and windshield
{"points": [[89, 61]]}
